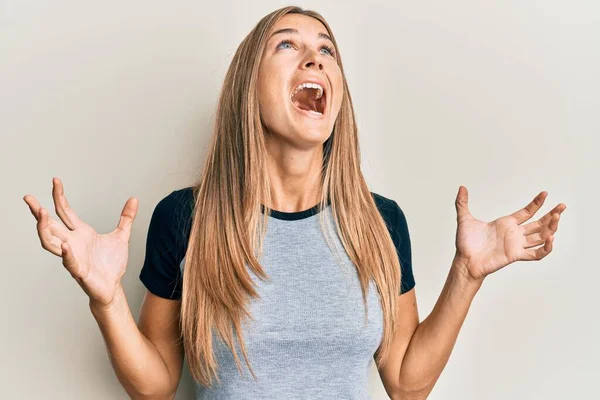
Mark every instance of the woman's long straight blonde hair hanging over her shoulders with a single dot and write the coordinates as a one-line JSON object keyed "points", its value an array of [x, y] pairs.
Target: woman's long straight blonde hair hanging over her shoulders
{"points": [[227, 230]]}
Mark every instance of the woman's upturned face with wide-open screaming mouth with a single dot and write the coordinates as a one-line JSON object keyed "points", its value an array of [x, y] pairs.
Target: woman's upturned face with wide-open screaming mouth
{"points": [[298, 51]]}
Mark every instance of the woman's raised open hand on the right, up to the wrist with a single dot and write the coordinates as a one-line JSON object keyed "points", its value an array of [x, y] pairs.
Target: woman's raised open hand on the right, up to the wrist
{"points": [[485, 247]]}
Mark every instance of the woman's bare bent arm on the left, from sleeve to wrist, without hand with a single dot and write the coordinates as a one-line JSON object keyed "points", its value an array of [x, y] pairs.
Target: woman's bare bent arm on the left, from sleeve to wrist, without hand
{"points": [[147, 358]]}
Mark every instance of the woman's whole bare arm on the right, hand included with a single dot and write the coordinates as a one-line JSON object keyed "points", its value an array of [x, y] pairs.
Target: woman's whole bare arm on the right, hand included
{"points": [[481, 249]]}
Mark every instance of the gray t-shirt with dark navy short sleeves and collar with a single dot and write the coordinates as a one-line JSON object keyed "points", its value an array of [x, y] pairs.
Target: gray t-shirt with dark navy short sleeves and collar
{"points": [[309, 337]]}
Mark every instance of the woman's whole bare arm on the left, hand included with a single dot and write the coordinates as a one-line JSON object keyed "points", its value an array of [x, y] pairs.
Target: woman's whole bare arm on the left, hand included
{"points": [[147, 359]]}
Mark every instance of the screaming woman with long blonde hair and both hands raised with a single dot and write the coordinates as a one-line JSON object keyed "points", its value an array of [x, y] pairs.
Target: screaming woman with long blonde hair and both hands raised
{"points": [[280, 252]]}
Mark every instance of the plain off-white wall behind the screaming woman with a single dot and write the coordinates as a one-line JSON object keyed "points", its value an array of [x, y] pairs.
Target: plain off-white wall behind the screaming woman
{"points": [[118, 99]]}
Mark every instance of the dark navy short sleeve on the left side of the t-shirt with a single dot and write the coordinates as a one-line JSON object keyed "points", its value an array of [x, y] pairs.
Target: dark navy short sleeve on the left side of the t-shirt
{"points": [[166, 244]]}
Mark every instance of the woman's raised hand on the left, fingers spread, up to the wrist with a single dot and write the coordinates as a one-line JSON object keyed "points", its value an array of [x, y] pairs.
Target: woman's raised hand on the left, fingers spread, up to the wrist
{"points": [[96, 261]]}
